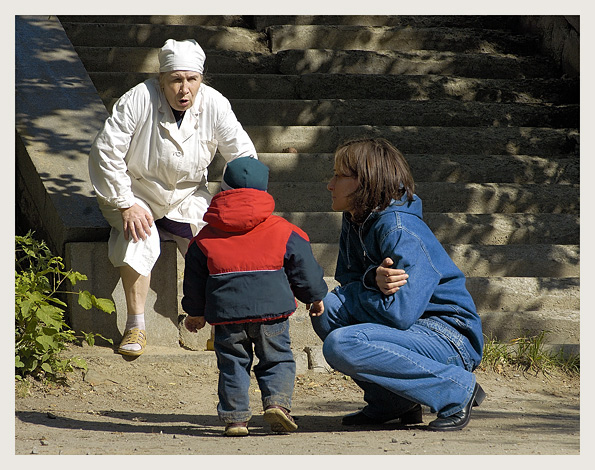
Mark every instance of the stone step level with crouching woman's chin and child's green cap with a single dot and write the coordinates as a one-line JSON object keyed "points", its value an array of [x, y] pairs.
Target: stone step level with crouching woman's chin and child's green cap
{"points": [[467, 198]]}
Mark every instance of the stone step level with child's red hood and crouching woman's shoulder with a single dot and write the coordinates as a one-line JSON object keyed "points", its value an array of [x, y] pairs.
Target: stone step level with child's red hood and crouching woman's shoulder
{"points": [[453, 228]]}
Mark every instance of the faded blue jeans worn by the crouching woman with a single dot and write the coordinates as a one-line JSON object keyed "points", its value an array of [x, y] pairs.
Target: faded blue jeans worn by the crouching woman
{"points": [[425, 364]]}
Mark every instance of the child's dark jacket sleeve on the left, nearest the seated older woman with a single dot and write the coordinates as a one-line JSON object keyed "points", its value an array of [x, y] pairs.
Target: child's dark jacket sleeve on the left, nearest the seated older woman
{"points": [[196, 274]]}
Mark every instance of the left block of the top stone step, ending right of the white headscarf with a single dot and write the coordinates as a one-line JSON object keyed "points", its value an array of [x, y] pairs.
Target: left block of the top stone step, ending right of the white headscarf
{"points": [[155, 35]]}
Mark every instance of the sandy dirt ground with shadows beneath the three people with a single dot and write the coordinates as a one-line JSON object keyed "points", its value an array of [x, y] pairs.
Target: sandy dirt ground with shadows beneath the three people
{"points": [[164, 403]]}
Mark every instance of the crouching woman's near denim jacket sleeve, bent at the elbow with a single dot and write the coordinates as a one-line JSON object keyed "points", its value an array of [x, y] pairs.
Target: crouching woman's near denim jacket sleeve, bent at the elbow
{"points": [[403, 308]]}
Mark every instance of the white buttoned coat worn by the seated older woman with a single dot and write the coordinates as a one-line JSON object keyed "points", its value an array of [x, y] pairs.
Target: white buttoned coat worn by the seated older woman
{"points": [[141, 156]]}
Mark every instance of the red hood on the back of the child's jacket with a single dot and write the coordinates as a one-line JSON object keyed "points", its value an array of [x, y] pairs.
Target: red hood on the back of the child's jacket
{"points": [[239, 210]]}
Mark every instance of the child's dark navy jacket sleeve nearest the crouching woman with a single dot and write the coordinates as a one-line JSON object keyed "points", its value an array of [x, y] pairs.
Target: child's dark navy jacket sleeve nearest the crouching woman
{"points": [[305, 275]]}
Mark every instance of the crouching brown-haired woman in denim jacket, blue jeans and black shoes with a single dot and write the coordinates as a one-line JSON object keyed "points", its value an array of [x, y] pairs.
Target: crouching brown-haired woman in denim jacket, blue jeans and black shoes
{"points": [[402, 323]]}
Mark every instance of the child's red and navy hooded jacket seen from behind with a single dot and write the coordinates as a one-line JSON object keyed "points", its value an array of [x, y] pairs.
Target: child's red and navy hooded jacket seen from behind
{"points": [[247, 264]]}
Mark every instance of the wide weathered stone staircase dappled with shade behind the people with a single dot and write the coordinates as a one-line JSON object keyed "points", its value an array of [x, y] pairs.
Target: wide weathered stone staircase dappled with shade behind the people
{"points": [[487, 122]]}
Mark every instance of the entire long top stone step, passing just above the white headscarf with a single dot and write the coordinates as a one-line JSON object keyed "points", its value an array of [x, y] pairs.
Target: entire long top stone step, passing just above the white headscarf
{"points": [[283, 37]]}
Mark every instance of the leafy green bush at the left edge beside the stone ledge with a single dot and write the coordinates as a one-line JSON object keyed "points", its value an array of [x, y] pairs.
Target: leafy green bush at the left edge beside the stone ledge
{"points": [[41, 332]]}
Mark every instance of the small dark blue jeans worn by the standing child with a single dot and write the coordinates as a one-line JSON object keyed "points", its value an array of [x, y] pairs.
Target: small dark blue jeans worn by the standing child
{"points": [[235, 346]]}
